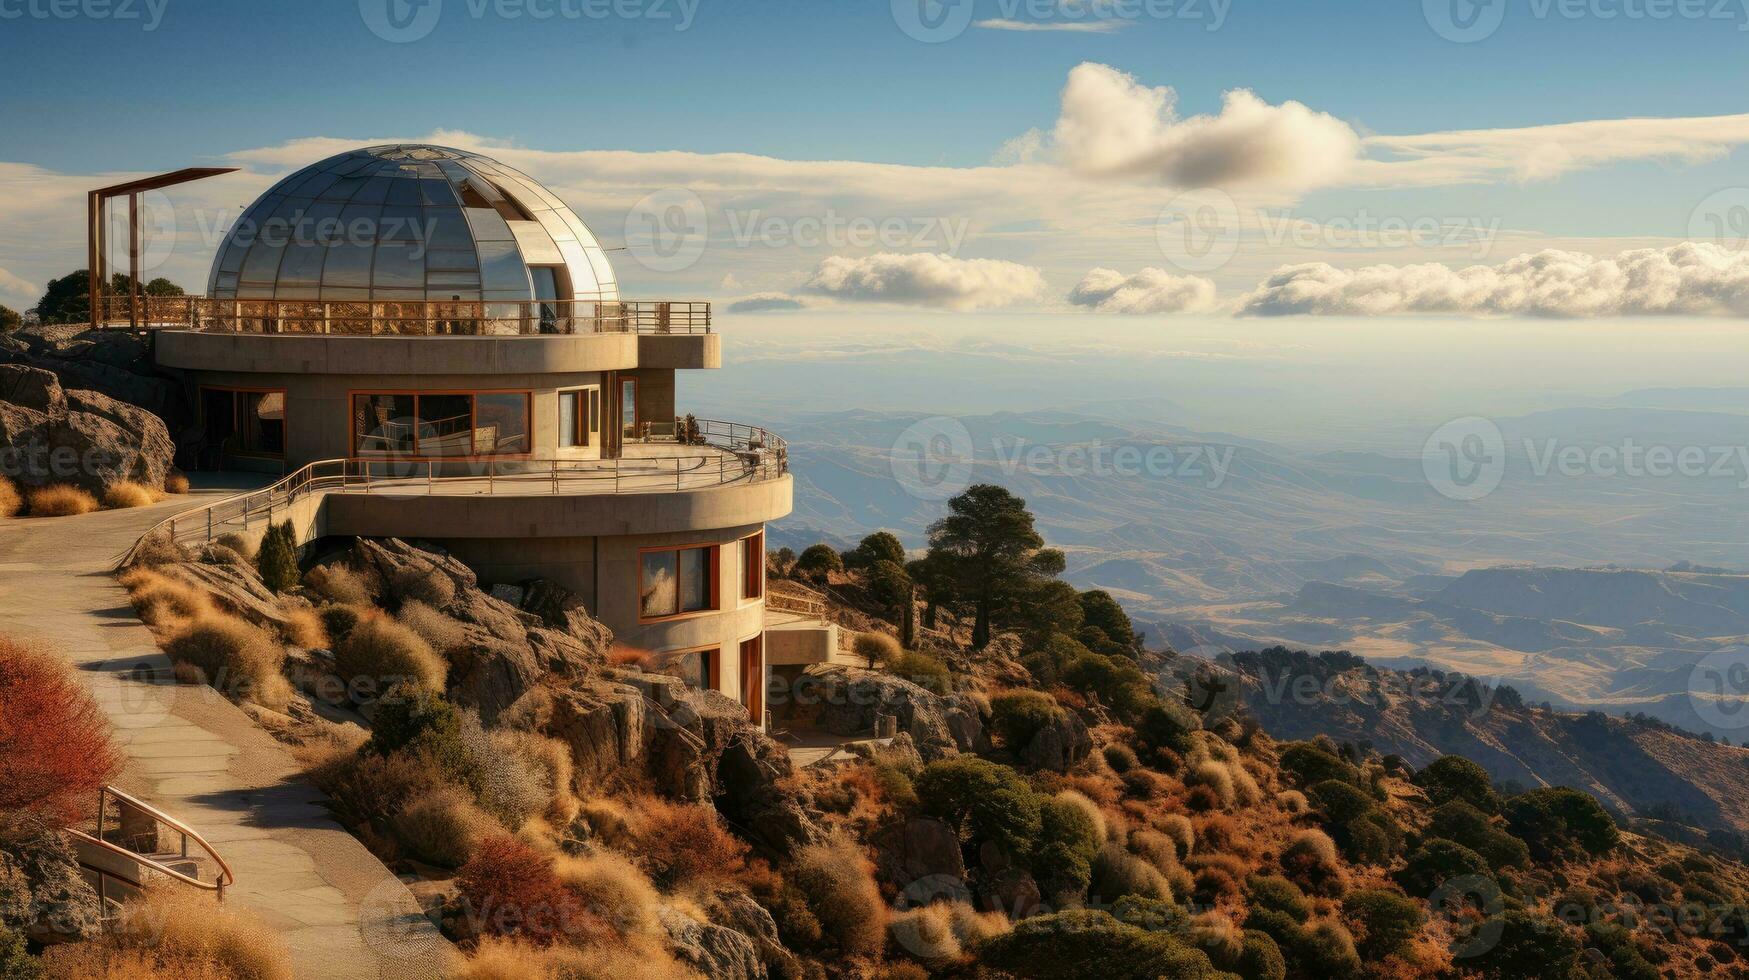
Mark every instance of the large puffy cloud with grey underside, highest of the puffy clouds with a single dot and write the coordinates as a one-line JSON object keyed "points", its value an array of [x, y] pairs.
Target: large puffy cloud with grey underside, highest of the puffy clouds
{"points": [[1113, 125]]}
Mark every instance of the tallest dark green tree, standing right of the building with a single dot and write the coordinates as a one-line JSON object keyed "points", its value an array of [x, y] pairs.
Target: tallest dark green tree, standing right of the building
{"points": [[994, 552]]}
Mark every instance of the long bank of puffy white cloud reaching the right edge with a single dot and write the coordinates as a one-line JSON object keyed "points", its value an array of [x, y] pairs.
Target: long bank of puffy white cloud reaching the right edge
{"points": [[1690, 279]]}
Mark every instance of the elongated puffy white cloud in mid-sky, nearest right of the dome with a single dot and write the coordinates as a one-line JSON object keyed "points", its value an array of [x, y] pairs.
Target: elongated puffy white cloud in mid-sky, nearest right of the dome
{"points": [[928, 281]]}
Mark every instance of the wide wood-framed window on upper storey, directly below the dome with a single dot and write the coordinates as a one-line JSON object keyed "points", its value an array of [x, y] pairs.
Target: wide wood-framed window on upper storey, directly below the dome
{"points": [[442, 424]]}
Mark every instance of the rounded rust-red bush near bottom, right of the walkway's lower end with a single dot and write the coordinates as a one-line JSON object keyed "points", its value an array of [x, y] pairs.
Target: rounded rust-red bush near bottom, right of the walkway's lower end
{"points": [[513, 892]]}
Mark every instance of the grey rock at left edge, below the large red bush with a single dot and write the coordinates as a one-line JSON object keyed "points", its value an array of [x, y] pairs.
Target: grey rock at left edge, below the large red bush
{"points": [[43, 892]]}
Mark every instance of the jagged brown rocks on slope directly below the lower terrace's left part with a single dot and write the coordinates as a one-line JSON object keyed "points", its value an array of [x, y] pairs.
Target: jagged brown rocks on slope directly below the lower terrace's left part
{"points": [[508, 650]]}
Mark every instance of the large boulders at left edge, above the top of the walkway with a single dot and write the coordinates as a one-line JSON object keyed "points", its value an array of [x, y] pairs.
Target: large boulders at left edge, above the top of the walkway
{"points": [[53, 435]]}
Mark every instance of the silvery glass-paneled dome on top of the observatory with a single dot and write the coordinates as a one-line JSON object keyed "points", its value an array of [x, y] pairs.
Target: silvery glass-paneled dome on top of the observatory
{"points": [[410, 223]]}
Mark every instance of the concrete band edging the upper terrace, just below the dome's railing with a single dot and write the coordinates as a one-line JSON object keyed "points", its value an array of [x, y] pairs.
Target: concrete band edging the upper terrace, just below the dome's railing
{"points": [[326, 354]]}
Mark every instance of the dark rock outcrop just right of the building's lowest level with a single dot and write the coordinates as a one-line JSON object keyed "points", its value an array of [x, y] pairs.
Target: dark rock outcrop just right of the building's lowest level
{"points": [[849, 703]]}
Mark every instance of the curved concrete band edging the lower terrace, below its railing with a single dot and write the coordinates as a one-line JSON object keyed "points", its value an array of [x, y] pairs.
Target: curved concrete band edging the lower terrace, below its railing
{"points": [[389, 514]]}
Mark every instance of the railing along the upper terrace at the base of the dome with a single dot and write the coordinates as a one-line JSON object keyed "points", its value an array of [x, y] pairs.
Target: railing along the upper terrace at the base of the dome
{"points": [[461, 318]]}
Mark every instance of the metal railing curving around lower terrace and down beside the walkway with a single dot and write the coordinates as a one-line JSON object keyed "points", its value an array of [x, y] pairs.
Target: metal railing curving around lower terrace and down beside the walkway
{"points": [[744, 454]]}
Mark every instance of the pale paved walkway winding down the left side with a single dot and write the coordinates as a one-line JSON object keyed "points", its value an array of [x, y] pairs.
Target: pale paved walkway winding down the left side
{"points": [[200, 759]]}
